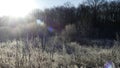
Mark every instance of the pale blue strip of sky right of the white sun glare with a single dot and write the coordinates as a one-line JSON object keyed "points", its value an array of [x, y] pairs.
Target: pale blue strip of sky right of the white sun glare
{"points": [[51, 3]]}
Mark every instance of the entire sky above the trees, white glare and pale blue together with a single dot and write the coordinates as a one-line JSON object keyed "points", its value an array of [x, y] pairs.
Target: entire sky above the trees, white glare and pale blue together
{"points": [[20, 8]]}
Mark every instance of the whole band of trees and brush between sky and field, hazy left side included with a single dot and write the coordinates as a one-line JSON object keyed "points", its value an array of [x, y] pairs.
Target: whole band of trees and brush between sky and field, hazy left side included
{"points": [[93, 19]]}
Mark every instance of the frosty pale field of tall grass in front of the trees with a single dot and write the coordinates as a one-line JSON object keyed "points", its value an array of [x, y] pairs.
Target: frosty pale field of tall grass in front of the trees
{"points": [[30, 54]]}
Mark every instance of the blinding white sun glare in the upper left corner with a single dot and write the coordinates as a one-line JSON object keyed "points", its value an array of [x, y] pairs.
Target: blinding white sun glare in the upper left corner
{"points": [[16, 8]]}
